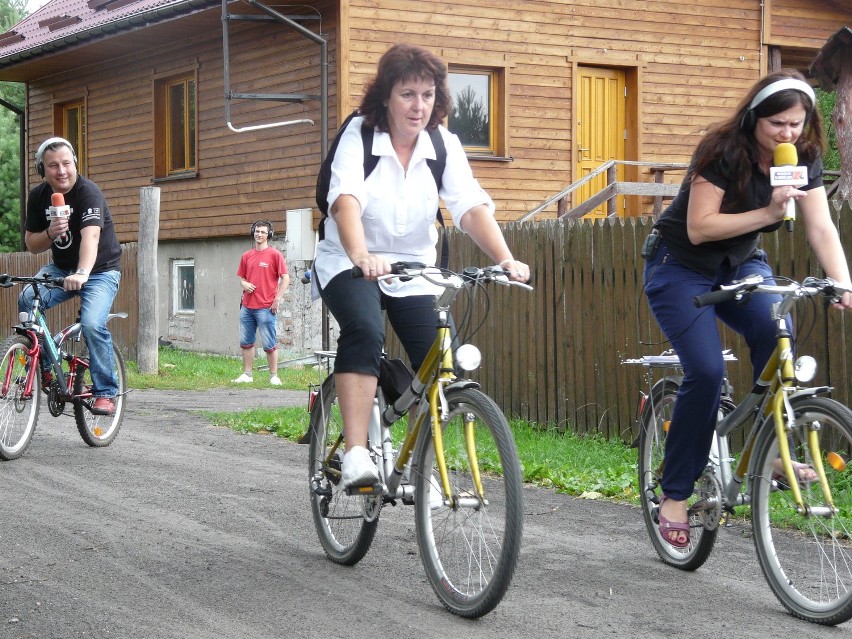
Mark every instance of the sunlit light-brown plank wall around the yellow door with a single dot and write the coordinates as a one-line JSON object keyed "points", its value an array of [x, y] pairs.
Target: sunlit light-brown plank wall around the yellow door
{"points": [[692, 63]]}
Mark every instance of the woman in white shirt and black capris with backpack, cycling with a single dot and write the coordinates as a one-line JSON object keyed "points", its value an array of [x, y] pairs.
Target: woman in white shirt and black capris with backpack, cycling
{"points": [[389, 217]]}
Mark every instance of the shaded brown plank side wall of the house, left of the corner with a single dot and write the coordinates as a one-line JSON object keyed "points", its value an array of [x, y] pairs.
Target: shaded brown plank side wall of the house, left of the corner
{"points": [[242, 176]]}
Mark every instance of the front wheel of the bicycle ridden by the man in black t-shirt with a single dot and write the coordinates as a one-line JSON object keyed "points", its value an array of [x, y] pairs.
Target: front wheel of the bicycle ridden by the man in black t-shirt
{"points": [[18, 414]]}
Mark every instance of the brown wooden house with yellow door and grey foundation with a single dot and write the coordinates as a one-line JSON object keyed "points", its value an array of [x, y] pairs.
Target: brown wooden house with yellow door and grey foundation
{"points": [[185, 95]]}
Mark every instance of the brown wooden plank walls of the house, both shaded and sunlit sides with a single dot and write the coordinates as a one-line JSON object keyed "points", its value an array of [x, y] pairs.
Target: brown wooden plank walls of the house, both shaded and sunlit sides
{"points": [[689, 65]]}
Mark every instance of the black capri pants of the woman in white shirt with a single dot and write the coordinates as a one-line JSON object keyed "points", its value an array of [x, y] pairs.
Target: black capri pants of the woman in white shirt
{"points": [[357, 305]]}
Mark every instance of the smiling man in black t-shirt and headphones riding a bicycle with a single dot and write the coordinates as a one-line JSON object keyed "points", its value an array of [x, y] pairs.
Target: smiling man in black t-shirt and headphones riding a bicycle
{"points": [[69, 215]]}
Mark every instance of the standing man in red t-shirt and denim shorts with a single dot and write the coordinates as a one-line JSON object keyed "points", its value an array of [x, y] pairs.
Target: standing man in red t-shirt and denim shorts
{"points": [[263, 276]]}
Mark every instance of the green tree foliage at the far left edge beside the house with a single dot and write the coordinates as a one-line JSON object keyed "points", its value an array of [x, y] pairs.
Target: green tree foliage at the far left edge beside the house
{"points": [[11, 13]]}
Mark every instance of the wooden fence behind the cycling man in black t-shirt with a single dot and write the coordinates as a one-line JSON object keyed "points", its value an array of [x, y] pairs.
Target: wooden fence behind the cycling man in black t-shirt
{"points": [[124, 332]]}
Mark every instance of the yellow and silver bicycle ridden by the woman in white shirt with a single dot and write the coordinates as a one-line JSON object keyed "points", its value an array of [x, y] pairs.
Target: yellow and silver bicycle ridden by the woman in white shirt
{"points": [[457, 464]]}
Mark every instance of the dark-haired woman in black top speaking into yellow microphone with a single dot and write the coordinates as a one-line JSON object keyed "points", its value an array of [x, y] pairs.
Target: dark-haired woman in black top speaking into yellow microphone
{"points": [[709, 236]]}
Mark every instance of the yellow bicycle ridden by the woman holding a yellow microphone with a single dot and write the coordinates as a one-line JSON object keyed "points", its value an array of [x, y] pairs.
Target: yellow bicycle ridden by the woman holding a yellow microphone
{"points": [[802, 529]]}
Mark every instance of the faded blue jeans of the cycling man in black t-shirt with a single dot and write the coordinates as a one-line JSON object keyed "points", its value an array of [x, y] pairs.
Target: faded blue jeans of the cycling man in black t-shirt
{"points": [[96, 298]]}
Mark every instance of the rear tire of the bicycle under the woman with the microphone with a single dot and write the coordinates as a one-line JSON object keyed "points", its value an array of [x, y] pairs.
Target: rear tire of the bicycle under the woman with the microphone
{"points": [[653, 430]]}
